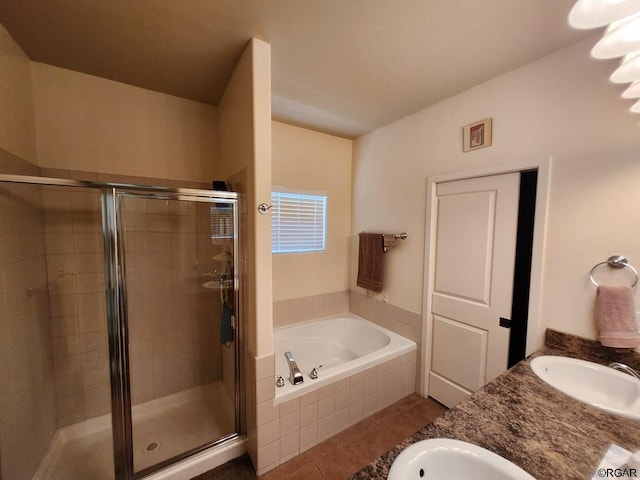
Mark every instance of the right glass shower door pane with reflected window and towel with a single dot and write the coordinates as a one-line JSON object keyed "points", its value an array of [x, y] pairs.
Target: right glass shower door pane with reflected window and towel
{"points": [[178, 274]]}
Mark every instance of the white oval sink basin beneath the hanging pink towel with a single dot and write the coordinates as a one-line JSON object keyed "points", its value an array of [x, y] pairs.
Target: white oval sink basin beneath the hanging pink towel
{"points": [[602, 387]]}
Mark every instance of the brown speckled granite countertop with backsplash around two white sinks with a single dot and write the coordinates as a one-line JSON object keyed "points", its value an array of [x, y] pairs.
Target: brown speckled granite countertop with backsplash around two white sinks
{"points": [[530, 423]]}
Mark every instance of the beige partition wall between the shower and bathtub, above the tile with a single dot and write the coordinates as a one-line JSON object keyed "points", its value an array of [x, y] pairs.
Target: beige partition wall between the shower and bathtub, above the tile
{"points": [[245, 156]]}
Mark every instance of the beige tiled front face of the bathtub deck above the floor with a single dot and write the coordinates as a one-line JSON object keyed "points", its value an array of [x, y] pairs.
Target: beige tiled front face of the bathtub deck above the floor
{"points": [[285, 431]]}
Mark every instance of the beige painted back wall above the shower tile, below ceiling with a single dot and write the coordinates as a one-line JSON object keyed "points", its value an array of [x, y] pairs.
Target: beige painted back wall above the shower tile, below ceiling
{"points": [[92, 124]]}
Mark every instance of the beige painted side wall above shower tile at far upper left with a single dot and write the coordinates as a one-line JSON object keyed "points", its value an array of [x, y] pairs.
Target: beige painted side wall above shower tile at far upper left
{"points": [[17, 128]]}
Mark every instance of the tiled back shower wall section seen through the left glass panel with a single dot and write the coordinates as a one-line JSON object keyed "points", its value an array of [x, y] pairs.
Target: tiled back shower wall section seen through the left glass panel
{"points": [[76, 297]]}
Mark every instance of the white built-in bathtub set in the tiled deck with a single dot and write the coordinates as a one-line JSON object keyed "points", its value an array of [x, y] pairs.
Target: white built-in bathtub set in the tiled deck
{"points": [[337, 346]]}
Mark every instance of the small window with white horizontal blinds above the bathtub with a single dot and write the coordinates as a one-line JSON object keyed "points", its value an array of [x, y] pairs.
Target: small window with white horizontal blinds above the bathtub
{"points": [[298, 221]]}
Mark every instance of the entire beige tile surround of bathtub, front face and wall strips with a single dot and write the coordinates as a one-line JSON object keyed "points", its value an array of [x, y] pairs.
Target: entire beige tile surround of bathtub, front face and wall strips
{"points": [[283, 432]]}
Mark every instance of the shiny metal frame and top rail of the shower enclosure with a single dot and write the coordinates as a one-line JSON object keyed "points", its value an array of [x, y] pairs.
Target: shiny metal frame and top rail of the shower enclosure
{"points": [[122, 421]]}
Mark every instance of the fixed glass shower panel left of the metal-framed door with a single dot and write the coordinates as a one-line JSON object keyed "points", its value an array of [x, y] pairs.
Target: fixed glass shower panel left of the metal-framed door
{"points": [[55, 409]]}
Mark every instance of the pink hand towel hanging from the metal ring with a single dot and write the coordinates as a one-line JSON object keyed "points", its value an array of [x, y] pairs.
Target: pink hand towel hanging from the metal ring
{"points": [[616, 317]]}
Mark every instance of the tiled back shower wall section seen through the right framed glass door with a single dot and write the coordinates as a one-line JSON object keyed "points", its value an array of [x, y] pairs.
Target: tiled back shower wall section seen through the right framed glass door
{"points": [[174, 320]]}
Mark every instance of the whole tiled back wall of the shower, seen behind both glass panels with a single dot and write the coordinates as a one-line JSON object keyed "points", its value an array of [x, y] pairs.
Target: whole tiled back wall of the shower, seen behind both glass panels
{"points": [[173, 337]]}
